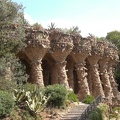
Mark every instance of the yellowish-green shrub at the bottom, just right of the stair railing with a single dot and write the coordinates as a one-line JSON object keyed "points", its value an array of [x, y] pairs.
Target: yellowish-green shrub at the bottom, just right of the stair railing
{"points": [[99, 112]]}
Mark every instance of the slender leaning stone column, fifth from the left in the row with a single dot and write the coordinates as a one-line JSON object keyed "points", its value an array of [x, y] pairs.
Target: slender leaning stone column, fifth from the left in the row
{"points": [[103, 63]]}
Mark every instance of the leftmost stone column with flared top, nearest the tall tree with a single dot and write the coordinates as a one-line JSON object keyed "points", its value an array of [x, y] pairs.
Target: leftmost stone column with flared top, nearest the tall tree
{"points": [[38, 44]]}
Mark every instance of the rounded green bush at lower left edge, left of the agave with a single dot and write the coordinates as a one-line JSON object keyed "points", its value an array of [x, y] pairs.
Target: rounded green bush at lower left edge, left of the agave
{"points": [[6, 103]]}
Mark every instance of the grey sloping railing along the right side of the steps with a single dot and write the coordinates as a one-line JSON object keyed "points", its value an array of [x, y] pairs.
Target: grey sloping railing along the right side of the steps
{"points": [[90, 108]]}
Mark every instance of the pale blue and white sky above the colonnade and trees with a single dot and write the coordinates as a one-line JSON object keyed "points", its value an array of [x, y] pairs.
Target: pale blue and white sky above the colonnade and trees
{"points": [[97, 17]]}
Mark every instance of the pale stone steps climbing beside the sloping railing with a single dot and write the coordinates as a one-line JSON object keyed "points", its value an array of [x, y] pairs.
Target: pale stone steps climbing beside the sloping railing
{"points": [[75, 113]]}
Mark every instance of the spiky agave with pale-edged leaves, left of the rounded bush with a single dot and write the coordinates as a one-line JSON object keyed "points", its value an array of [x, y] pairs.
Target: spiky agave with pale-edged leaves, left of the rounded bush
{"points": [[32, 97]]}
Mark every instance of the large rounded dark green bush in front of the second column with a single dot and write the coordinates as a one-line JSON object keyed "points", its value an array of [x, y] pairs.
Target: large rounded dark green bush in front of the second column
{"points": [[57, 93]]}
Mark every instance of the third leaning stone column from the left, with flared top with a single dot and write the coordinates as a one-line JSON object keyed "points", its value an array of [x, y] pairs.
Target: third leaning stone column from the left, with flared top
{"points": [[80, 51]]}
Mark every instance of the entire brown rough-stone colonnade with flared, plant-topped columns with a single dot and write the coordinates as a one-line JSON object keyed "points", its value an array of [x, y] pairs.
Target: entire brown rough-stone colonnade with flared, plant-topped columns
{"points": [[75, 62]]}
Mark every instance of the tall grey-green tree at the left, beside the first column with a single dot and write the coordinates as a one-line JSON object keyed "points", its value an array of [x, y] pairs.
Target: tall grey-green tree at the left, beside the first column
{"points": [[12, 38]]}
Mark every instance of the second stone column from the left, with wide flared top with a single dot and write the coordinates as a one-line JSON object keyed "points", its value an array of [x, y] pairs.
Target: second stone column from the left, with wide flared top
{"points": [[61, 46]]}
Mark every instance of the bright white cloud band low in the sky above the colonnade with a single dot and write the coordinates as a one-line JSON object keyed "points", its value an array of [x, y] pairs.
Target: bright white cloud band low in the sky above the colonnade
{"points": [[96, 26]]}
